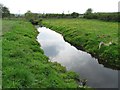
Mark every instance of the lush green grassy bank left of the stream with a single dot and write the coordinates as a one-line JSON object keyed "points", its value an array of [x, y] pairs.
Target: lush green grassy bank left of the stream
{"points": [[24, 63]]}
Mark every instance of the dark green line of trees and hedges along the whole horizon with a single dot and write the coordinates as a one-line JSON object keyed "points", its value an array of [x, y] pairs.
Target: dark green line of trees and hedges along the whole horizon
{"points": [[35, 17]]}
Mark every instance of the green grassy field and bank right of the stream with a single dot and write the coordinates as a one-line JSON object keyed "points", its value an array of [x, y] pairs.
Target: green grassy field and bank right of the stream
{"points": [[87, 35]]}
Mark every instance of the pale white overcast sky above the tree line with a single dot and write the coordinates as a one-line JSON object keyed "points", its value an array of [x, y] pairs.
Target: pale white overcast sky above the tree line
{"points": [[58, 6]]}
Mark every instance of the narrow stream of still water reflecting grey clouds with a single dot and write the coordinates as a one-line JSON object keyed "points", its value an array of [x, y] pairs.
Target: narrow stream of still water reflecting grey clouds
{"points": [[81, 62]]}
